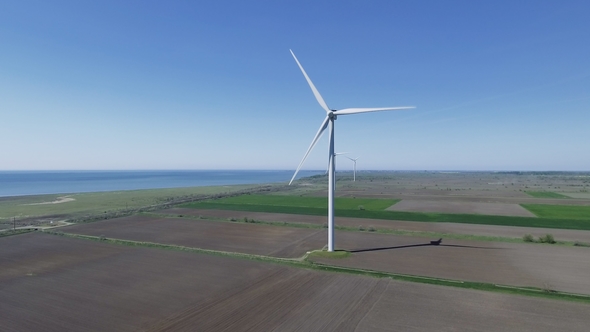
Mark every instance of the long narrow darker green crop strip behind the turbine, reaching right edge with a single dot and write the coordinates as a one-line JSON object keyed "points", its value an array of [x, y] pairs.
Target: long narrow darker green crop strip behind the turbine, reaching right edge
{"points": [[399, 215]]}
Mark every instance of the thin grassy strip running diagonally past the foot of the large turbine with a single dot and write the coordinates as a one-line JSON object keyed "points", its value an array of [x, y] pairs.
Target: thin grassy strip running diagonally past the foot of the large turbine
{"points": [[307, 264]]}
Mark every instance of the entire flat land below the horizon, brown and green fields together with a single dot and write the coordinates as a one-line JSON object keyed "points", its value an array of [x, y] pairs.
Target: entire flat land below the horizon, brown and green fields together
{"points": [[193, 268]]}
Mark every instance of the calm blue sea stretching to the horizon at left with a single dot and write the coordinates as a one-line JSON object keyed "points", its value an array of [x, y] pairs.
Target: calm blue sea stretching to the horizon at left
{"points": [[18, 183]]}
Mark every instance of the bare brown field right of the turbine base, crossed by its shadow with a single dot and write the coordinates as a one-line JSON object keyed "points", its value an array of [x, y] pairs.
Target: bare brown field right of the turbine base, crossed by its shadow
{"points": [[526, 265]]}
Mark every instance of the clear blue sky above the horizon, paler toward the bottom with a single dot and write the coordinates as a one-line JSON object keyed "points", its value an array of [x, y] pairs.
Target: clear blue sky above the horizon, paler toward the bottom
{"points": [[498, 85]]}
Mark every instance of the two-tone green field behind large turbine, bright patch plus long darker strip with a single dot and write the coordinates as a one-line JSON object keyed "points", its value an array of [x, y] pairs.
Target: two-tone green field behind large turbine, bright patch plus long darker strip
{"points": [[268, 203]]}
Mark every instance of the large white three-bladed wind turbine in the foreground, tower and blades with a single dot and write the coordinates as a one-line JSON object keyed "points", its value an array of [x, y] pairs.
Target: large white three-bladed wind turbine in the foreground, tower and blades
{"points": [[329, 120]]}
